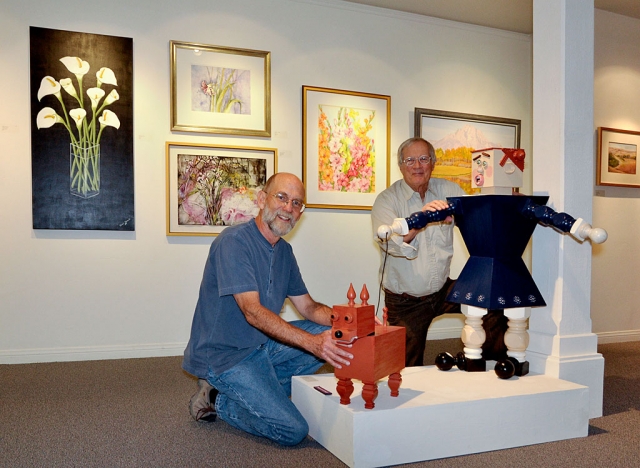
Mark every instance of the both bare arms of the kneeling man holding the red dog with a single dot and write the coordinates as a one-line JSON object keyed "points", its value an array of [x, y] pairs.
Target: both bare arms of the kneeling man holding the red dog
{"points": [[321, 345]]}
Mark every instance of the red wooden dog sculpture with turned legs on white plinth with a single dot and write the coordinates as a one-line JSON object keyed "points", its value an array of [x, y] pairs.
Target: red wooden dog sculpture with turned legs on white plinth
{"points": [[378, 350]]}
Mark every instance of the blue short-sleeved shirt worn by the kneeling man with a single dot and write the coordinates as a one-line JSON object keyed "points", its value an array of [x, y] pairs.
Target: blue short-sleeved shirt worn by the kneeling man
{"points": [[240, 260]]}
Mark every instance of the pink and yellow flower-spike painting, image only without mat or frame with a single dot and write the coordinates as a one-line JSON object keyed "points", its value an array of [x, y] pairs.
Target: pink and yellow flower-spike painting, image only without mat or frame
{"points": [[346, 150]]}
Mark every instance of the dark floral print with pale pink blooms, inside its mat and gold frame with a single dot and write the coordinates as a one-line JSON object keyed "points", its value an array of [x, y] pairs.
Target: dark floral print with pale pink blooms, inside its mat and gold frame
{"points": [[218, 191]]}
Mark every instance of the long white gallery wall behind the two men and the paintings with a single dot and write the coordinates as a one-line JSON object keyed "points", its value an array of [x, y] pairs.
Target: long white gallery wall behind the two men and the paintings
{"points": [[67, 295]]}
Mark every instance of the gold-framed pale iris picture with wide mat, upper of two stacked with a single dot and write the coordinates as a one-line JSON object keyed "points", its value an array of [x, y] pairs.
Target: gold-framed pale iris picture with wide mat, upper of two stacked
{"points": [[218, 89]]}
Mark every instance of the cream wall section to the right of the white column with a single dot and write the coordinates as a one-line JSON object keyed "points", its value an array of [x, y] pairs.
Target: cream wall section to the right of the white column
{"points": [[615, 292]]}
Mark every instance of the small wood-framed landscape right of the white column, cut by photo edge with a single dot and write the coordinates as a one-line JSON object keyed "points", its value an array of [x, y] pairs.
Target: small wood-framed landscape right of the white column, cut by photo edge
{"points": [[617, 157]]}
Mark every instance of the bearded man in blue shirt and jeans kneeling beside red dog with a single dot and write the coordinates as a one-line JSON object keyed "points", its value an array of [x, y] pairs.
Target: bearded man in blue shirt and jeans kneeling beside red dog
{"points": [[243, 353]]}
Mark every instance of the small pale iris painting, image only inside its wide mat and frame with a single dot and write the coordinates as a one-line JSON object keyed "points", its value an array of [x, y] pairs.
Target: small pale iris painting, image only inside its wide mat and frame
{"points": [[221, 90]]}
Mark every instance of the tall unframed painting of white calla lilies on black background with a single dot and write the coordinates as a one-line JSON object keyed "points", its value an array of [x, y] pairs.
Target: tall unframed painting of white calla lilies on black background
{"points": [[81, 132]]}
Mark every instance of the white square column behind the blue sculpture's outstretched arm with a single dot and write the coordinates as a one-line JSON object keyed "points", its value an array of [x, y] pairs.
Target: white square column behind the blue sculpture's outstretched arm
{"points": [[562, 344]]}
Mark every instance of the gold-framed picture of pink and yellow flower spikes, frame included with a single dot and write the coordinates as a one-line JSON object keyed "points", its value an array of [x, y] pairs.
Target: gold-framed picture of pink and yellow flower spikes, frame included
{"points": [[345, 147]]}
